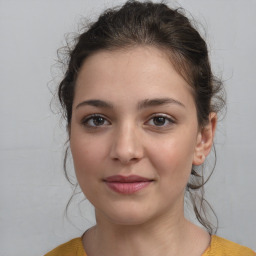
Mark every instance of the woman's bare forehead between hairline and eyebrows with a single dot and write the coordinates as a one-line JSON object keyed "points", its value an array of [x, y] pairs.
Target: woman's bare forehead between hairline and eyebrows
{"points": [[140, 71]]}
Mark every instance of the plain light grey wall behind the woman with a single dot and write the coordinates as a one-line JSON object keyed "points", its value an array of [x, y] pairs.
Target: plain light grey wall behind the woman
{"points": [[33, 189]]}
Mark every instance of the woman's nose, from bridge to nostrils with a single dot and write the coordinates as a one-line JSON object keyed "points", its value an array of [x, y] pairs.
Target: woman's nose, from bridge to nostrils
{"points": [[126, 144]]}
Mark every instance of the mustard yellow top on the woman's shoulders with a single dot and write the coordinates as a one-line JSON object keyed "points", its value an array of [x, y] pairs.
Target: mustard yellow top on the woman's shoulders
{"points": [[218, 247]]}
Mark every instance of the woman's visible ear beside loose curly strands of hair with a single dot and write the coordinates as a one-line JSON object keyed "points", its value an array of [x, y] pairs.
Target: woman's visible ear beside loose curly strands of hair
{"points": [[205, 140]]}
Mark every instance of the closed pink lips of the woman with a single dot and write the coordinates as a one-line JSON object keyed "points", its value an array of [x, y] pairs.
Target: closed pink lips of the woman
{"points": [[127, 184]]}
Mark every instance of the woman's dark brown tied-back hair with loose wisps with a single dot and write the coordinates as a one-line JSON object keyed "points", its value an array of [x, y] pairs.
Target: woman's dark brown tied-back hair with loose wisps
{"points": [[157, 25]]}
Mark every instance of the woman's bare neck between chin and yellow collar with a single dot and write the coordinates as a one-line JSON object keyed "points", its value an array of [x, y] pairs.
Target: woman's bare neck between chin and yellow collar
{"points": [[164, 236]]}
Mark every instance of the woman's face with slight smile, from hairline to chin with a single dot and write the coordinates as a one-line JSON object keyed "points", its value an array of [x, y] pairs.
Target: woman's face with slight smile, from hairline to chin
{"points": [[134, 135]]}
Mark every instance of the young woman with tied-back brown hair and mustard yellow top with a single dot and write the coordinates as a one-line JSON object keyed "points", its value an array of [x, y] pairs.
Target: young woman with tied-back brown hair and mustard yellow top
{"points": [[141, 105]]}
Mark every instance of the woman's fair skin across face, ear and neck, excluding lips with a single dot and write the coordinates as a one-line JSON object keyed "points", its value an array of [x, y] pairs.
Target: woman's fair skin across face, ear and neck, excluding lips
{"points": [[131, 137]]}
